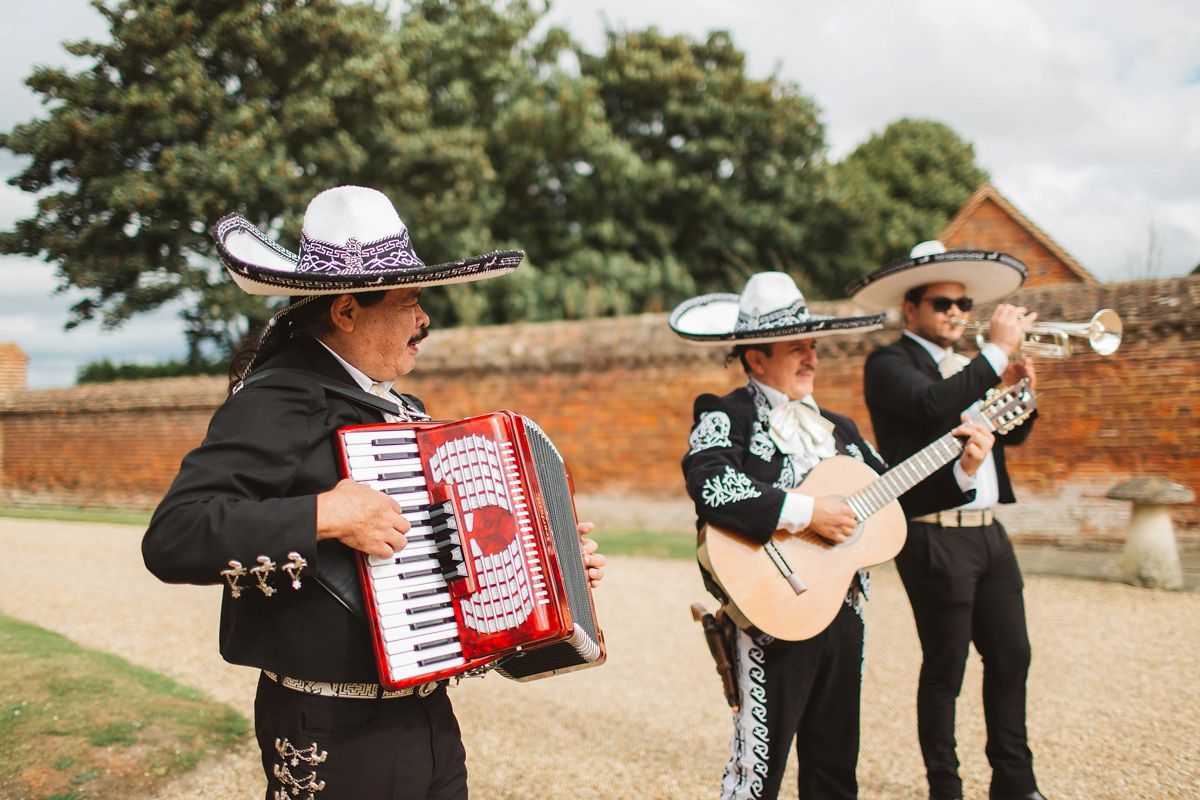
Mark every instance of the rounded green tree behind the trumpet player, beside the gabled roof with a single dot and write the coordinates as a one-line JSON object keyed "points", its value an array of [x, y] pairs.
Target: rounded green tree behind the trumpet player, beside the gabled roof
{"points": [[898, 189]]}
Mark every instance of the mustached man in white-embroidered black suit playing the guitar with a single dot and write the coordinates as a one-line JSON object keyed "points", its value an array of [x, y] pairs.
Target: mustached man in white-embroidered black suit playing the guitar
{"points": [[746, 452]]}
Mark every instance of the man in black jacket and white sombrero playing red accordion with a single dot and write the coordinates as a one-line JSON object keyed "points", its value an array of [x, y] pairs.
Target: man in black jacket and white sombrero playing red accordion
{"points": [[261, 508]]}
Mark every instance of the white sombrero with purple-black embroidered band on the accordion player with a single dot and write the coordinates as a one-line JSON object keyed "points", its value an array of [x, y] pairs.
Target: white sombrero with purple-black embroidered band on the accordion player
{"points": [[352, 240]]}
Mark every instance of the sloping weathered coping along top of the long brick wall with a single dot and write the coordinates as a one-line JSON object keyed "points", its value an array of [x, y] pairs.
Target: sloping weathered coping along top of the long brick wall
{"points": [[1147, 308]]}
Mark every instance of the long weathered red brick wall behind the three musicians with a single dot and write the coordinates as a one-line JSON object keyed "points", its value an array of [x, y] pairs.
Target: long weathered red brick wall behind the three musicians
{"points": [[616, 395]]}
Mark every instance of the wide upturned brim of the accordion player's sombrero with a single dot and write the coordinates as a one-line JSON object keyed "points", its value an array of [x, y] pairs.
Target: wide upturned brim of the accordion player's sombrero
{"points": [[261, 267]]}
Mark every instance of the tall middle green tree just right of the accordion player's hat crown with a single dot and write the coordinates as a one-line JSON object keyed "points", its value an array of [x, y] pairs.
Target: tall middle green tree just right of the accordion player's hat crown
{"points": [[560, 172]]}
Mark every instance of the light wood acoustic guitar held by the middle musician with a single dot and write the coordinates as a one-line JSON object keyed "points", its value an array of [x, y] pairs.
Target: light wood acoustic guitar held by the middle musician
{"points": [[793, 587]]}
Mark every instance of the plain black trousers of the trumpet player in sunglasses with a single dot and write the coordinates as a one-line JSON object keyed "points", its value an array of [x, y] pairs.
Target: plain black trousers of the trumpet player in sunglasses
{"points": [[965, 587]]}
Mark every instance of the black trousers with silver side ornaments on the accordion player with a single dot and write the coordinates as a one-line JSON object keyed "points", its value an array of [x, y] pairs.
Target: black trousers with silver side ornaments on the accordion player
{"points": [[350, 749]]}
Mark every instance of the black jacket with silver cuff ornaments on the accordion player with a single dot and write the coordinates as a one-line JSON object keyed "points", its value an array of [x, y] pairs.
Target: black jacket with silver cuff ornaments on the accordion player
{"points": [[250, 491]]}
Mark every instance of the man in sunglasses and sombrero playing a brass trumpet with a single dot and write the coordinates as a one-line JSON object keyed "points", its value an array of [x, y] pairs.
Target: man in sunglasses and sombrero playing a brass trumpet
{"points": [[957, 566]]}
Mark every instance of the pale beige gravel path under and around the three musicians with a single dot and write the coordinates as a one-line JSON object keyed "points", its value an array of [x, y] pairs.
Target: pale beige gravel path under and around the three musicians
{"points": [[1114, 690]]}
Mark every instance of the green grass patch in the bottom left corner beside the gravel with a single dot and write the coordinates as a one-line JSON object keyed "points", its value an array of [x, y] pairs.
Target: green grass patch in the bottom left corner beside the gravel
{"points": [[82, 724]]}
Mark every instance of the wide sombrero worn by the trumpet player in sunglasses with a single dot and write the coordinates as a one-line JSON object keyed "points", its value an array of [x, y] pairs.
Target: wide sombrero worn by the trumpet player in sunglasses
{"points": [[985, 275]]}
